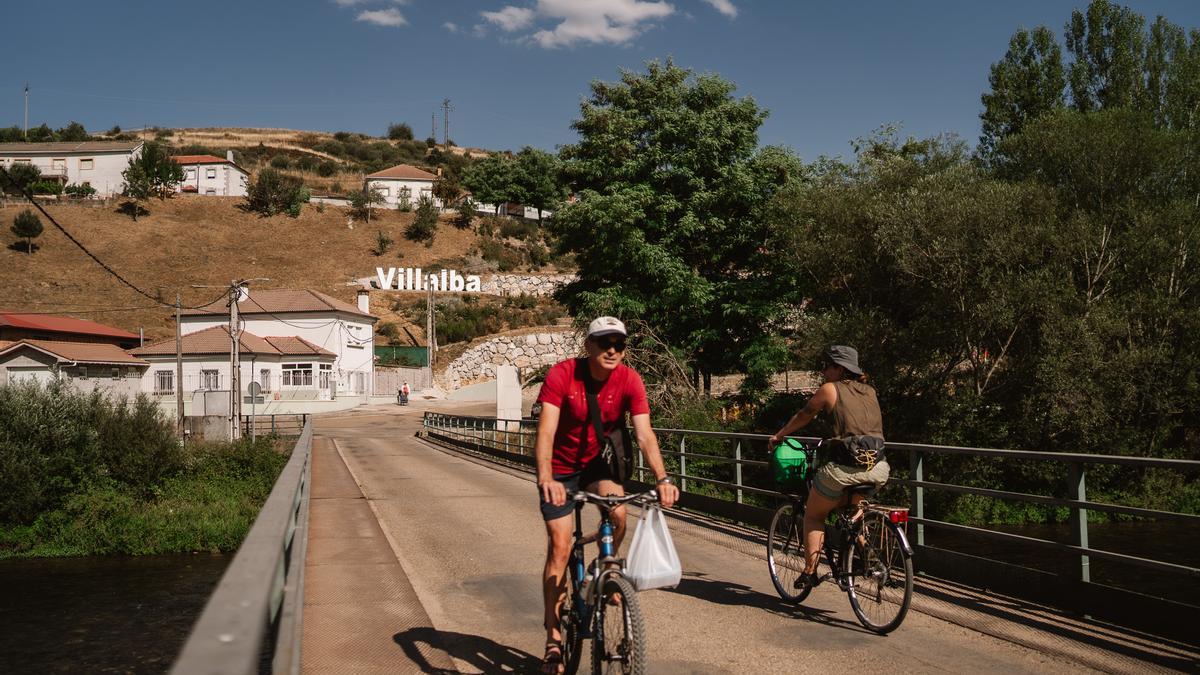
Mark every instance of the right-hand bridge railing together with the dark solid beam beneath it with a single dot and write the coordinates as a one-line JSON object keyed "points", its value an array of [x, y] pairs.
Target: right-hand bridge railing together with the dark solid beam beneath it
{"points": [[719, 474]]}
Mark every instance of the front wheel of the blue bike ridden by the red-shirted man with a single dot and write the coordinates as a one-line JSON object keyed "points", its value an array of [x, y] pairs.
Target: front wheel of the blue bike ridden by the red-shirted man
{"points": [[619, 644]]}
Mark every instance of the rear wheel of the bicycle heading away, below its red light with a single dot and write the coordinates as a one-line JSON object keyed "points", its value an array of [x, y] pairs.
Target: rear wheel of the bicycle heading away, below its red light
{"points": [[880, 575]]}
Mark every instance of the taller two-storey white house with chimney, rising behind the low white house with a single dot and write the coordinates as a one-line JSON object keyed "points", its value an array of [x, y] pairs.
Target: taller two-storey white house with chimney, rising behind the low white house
{"points": [[344, 330]]}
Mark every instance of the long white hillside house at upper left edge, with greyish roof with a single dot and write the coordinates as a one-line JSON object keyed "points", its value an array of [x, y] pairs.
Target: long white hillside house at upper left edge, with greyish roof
{"points": [[91, 163]]}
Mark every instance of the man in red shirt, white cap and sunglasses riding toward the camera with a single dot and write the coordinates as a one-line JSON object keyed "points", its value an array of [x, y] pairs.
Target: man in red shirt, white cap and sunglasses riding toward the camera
{"points": [[569, 458]]}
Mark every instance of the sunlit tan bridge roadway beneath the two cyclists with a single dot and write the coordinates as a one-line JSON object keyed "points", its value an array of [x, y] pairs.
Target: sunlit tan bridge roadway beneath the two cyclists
{"points": [[424, 561]]}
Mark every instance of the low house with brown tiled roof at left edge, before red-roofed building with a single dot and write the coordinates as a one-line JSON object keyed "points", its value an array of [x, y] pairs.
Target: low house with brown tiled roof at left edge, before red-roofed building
{"points": [[86, 366]]}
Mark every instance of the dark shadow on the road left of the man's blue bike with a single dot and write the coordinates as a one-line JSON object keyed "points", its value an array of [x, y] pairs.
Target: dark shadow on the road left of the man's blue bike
{"points": [[483, 654]]}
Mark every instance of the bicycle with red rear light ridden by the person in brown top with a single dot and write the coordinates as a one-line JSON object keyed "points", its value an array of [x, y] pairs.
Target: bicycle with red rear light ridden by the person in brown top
{"points": [[866, 549]]}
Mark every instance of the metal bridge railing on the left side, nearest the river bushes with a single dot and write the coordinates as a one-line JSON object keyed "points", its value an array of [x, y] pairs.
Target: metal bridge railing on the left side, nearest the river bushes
{"points": [[251, 623]]}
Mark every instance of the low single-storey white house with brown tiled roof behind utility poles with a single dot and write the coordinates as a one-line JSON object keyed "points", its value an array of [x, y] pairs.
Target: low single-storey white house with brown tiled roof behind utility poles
{"points": [[286, 369]]}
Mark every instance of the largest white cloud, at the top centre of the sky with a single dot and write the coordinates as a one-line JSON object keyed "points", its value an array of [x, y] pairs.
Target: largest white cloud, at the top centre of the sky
{"points": [[613, 22]]}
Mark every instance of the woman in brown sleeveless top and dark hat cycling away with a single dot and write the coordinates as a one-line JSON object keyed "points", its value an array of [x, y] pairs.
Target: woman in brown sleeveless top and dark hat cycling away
{"points": [[857, 446]]}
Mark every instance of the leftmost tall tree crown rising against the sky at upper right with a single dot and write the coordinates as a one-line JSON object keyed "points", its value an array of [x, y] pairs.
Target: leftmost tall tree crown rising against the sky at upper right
{"points": [[1027, 83]]}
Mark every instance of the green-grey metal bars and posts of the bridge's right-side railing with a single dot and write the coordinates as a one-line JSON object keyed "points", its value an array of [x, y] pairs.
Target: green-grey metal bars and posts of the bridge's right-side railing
{"points": [[743, 492]]}
